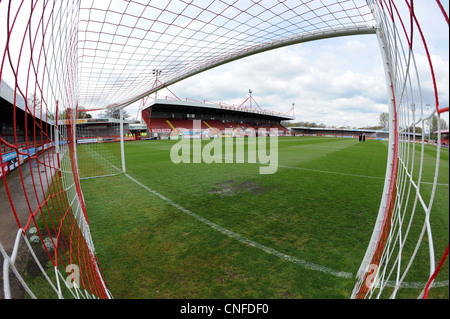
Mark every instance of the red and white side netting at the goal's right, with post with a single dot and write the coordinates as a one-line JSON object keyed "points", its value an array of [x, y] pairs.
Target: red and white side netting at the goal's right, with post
{"points": [[402, 241]]}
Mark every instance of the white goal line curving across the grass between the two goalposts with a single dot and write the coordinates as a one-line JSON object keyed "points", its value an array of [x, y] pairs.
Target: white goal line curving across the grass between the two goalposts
{"points": [[300, 262]]}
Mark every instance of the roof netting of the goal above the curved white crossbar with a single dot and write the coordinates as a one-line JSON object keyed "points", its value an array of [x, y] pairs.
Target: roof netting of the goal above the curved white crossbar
{"points": [[121, 43]]}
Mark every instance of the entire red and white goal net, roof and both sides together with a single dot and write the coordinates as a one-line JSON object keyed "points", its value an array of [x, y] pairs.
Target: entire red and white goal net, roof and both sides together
{"points": [[61, 56]]}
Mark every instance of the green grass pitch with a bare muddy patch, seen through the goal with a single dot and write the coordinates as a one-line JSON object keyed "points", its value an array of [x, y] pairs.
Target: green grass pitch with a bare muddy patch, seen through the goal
{"points": [[148, 248]]}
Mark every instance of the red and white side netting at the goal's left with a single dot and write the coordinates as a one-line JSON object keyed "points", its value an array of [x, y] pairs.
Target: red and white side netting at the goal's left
{"points": [[43, 196]]}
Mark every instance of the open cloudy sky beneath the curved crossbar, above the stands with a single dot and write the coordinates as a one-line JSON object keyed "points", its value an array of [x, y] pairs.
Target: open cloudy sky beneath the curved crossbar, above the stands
{"points": [[338, 81]]}
